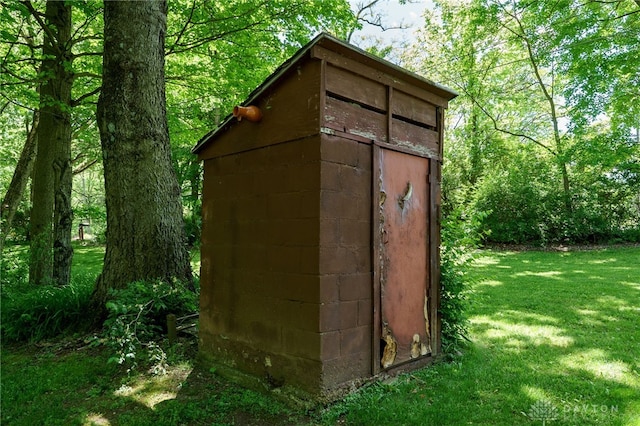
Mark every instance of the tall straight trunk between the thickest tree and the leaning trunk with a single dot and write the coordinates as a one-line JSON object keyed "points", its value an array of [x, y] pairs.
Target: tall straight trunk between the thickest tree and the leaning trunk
{"points": [[54, 153]]}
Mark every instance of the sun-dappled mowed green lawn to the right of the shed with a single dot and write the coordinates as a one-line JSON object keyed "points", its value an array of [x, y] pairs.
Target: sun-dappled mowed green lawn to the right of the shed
{"points": [[556, 338]]}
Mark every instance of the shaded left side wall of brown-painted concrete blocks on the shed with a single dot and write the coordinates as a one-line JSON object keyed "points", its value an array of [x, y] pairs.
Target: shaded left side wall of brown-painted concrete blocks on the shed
{"points": [[260, 301]]}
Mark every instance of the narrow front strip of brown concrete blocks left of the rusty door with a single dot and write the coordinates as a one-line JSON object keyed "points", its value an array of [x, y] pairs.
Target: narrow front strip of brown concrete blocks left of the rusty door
{"points": [[345, 260]]}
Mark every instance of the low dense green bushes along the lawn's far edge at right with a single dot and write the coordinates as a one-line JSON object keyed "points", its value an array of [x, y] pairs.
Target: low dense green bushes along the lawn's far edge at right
{"points": [[526, 209]]}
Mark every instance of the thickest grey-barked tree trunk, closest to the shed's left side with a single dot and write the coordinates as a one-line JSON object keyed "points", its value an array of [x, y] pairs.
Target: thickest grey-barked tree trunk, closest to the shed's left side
{"points": [[145, 231]]}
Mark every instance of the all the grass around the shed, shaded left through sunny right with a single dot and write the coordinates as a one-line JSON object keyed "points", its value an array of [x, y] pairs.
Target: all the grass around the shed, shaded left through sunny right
{"points": [[555, 339]]}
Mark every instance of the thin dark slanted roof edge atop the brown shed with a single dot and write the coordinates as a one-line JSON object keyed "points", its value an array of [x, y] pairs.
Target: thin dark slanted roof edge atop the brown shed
{"points": [[347, 50]]}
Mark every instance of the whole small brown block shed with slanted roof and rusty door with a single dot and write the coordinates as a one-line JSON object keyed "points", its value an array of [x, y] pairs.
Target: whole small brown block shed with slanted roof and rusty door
{"points": [[320, 234]]}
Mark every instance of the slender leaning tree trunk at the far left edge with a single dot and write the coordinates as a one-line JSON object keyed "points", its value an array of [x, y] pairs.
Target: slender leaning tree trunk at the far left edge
{"points": [[19, 180]]}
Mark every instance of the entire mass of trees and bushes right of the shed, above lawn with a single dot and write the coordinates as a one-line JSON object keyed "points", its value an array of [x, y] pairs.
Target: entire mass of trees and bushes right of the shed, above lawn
{"points": [[541, 135]]}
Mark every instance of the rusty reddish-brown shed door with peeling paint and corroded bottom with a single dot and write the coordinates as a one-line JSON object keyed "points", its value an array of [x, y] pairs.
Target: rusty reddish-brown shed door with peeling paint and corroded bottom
{"points": [[401, 257]]}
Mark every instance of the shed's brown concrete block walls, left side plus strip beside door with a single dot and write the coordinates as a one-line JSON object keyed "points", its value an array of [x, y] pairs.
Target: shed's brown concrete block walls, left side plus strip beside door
{"points": [[286, 262]]}
